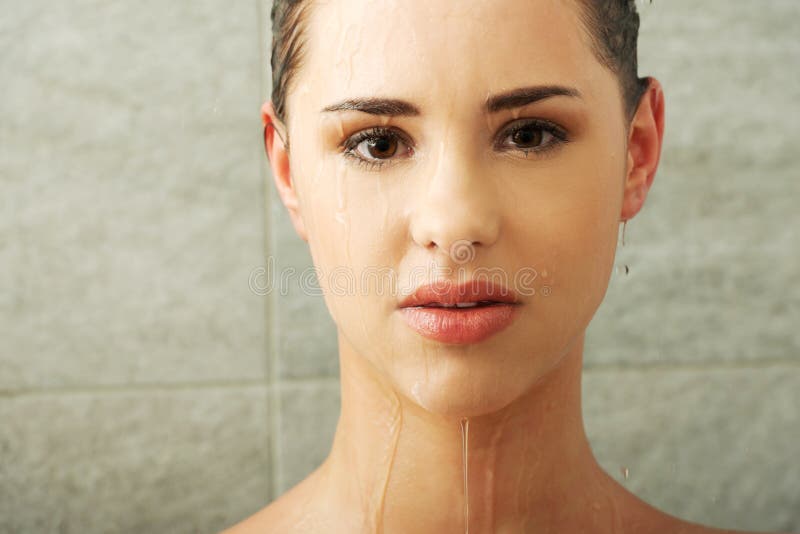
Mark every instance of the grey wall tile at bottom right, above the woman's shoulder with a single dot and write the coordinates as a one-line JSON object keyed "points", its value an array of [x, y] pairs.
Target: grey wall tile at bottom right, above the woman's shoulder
{"points": [[717, 447]]}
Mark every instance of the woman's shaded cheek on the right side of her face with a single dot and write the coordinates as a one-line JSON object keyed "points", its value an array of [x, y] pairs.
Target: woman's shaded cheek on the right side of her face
{"points": [[566, 228]]}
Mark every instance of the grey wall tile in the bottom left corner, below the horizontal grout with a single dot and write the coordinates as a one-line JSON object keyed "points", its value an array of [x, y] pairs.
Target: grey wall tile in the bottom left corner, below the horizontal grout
{"points": [[190, 461]]}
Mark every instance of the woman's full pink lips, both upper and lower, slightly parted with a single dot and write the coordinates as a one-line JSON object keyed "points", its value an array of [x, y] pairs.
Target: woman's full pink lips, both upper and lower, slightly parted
{"points": [[460, 313]]}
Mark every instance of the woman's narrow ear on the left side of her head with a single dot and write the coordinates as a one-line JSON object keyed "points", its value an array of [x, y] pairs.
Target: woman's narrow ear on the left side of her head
{"points": [[278, 155]]}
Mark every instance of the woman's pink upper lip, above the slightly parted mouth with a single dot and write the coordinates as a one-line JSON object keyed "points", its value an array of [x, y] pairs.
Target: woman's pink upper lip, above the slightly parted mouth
{"points": [[447, 292]]}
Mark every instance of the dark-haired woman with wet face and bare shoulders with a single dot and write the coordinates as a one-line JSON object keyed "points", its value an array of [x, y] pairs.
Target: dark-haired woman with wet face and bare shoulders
{"points": [[460, 171]]}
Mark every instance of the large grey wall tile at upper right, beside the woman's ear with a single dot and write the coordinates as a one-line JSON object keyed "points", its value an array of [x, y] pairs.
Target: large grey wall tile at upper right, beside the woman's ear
{"points": [[713, 260]]}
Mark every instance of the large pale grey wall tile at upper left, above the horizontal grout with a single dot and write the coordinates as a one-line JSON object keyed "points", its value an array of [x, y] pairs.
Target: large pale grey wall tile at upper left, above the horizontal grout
{"points": [[132, 197]]}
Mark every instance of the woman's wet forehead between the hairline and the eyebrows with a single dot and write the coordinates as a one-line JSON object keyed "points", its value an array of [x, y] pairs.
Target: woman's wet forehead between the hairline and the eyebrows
{"points": [[428, 51]]}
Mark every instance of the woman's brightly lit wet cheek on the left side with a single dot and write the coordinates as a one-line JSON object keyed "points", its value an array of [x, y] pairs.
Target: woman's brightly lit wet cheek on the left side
{"points": [[355, 239]]}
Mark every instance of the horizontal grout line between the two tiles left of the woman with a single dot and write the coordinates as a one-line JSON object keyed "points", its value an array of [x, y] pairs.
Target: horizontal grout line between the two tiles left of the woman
{"points": [[165, 387]]}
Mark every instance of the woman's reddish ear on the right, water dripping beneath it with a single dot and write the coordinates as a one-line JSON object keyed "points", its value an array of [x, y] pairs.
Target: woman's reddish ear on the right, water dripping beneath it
{"points": [[644, 149]]}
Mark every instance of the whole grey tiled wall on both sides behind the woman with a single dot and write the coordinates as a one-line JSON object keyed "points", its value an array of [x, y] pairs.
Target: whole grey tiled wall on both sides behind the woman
{"points": [[145, 388]]}
